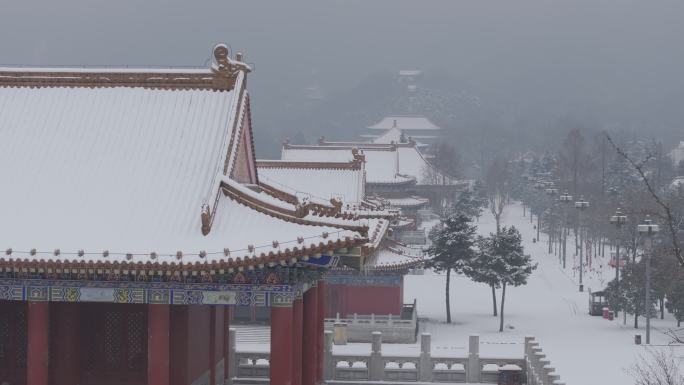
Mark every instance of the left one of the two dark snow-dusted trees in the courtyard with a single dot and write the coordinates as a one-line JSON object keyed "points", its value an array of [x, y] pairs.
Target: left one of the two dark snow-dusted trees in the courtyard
{"points": [[451, 248]]}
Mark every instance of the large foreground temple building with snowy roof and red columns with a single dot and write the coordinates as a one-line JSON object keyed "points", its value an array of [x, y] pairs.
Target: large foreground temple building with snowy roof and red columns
{"points": [[135, 222]]}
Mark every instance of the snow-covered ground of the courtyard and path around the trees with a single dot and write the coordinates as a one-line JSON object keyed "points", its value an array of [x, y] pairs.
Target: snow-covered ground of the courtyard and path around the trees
{"points": [[586, 350]]}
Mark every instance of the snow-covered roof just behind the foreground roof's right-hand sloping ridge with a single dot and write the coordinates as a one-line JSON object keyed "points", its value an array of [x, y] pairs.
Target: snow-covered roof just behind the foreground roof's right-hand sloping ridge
{"points": [[325, 180]]}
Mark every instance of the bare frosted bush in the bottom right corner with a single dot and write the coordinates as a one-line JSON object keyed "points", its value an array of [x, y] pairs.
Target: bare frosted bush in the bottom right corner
{"points": [[657, 367]]}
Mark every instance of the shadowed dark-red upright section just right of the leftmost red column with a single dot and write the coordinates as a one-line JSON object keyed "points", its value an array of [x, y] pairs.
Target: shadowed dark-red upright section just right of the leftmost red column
{"points": [[66, 357]]}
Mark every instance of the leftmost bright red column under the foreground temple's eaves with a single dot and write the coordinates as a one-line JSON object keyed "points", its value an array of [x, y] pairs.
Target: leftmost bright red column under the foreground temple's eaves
{"points": [[37, 354]]}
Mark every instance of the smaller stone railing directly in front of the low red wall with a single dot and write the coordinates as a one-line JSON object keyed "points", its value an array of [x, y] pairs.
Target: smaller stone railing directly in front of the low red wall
{"points": [[394, 329]]}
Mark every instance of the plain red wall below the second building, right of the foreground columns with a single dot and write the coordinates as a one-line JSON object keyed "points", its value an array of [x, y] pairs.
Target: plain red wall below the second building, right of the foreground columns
{"points": [[349, 299]]}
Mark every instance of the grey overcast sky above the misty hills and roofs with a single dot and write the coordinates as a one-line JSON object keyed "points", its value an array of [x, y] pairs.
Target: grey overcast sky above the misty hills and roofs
{"points": [[623, 57]]}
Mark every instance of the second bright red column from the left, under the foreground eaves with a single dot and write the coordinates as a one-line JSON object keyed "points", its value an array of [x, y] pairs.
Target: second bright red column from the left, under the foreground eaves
{"points": [[158, 344]]}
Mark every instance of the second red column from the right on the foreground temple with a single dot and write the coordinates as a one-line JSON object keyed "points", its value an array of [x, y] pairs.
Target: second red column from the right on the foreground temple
{"points": [[310, 344]]}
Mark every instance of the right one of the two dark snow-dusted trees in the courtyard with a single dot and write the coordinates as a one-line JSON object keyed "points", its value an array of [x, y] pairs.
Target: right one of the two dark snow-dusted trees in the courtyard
{"points": [[503, 262]]}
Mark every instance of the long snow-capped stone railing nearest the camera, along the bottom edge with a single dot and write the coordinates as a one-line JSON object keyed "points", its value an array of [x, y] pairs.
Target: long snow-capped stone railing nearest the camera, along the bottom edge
{"points": [[532, 367]]}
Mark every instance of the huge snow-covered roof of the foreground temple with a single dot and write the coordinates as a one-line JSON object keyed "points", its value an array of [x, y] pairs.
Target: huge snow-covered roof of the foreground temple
{"points": [[97, 170]]}
